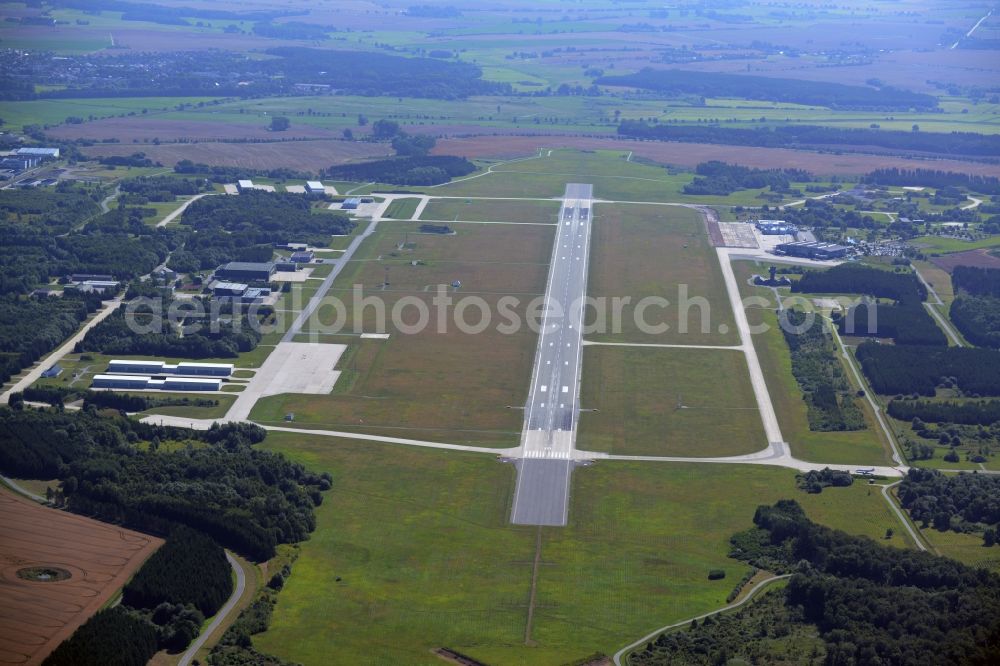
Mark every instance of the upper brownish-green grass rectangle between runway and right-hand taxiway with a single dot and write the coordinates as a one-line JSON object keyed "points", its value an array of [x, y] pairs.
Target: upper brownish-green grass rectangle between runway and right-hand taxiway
{"points": [[662, 253]]}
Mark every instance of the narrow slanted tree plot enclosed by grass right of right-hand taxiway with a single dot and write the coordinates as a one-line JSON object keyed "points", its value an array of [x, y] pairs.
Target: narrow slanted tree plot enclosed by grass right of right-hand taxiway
{"points": [[815, 365]]}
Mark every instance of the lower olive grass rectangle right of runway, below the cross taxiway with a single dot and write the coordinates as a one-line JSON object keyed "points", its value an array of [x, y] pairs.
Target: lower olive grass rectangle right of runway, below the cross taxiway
{"points": [[668, 402]]}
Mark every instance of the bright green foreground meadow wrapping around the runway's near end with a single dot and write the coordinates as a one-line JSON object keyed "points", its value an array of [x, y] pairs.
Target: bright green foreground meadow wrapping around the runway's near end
{"points": [[425, 557]]}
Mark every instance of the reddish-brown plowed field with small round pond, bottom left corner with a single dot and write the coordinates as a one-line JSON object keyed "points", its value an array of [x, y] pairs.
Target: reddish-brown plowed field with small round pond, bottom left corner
{"points": [[36, 616]]}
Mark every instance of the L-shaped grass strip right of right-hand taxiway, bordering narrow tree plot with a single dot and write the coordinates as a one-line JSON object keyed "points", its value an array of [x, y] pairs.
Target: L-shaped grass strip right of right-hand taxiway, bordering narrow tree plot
{"points": [[860, 447]]}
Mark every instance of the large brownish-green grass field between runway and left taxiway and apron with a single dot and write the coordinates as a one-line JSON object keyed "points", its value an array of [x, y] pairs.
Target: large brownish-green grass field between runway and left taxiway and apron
{"points": [[451, 386]]}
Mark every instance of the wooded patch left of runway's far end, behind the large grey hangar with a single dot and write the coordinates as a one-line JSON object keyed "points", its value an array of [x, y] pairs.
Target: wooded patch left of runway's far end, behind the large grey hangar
{"points": [[266, 217]]}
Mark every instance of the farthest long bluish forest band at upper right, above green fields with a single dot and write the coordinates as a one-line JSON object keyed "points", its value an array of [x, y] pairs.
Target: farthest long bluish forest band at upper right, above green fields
{"points": [[795, 91]]}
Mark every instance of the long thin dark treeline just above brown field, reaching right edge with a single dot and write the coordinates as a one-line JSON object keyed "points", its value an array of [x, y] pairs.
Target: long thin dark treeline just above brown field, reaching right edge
{"points": [[814, 136]]}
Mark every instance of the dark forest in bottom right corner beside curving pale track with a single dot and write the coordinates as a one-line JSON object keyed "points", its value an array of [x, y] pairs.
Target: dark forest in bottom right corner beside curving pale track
{"points": [[849, 601]]}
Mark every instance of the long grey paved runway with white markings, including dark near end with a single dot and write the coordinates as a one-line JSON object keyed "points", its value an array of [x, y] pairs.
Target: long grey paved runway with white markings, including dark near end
{"points": [[550, 421]]}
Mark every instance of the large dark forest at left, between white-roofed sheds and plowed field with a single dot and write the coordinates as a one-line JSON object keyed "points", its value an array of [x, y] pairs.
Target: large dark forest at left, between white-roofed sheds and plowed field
{"points": [[214, 481]]}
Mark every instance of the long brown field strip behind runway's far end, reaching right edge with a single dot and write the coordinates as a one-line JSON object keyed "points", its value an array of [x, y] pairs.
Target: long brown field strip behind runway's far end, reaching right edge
{"points": [[691, 154]]}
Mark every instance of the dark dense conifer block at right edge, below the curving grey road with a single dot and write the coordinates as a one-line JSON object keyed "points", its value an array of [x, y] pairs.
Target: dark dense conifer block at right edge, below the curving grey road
{"points": [[901, 369]]}
